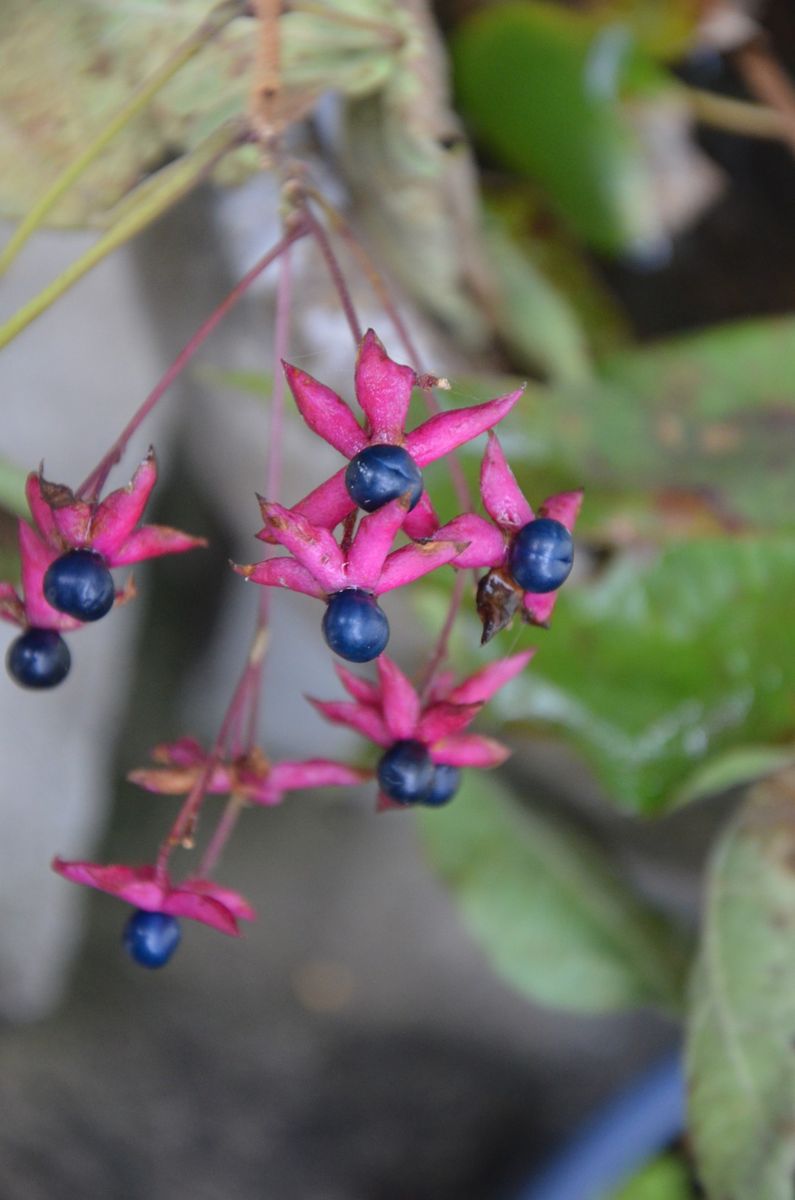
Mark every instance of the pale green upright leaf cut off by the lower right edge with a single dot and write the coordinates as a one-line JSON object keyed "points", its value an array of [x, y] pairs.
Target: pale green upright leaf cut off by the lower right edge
{"points": [[742, 1025]]}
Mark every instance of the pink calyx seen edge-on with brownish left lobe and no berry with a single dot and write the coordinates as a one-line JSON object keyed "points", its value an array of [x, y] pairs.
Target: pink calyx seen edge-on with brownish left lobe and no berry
{"points": [[253, 777]]}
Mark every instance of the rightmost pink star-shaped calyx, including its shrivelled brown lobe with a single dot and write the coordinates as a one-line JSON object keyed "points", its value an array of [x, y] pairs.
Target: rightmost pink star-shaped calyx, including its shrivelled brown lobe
{"points": [[489, 542]]}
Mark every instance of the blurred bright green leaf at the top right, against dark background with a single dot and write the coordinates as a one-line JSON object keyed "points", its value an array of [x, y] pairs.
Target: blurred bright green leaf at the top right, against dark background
{"points": [[541, 87]]}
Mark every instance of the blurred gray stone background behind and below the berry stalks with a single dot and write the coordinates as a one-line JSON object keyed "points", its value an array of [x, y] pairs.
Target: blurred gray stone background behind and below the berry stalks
{"points": [[354, 1046]]}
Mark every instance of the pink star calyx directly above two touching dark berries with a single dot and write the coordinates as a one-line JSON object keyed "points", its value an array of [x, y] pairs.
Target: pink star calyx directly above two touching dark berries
{"points": [[392, 711]]}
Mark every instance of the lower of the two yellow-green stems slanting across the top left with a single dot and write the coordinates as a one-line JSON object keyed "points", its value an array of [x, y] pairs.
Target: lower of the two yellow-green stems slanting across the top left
{"points": [[141, 209]]}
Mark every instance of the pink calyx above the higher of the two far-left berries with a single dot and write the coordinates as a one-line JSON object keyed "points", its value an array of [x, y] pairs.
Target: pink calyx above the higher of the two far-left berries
{"points": [[109, 527]]}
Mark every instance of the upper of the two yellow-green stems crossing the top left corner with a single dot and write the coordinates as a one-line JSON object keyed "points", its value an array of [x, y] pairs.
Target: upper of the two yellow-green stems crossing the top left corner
{"points": [[222, 15]]}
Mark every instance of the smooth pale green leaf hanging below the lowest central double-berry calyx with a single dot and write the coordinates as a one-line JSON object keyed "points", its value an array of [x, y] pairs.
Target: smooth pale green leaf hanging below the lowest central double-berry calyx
{"points": [[547, 909]]}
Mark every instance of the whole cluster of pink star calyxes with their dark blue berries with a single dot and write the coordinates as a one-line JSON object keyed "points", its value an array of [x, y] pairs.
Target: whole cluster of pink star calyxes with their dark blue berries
{"points": [[378, 496]]}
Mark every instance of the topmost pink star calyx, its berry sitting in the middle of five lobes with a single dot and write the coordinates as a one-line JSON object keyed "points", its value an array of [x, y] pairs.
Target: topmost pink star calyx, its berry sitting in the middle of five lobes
{"points": [[384, 391]]}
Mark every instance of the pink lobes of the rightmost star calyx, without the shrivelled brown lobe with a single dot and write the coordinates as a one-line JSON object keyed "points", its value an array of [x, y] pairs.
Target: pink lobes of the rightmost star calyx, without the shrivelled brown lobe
{"points": [[489, 542]]}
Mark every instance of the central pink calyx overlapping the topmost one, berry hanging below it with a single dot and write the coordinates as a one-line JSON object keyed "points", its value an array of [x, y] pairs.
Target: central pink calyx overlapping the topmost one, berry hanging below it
{"points": [[320, 568]]}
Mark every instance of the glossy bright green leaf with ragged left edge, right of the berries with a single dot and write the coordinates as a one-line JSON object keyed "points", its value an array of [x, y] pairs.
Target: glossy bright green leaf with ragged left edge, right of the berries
{"points": [[672, 676]]}
